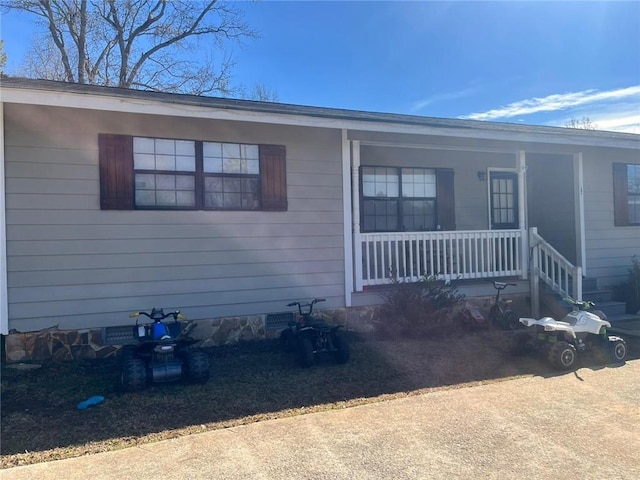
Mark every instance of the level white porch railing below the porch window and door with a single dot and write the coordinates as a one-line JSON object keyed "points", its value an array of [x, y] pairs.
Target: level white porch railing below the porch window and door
{"points": [[446, 255]]}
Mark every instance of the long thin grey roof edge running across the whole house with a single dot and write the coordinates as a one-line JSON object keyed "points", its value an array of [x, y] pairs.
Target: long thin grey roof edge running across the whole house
{"points": [[303, 110]]}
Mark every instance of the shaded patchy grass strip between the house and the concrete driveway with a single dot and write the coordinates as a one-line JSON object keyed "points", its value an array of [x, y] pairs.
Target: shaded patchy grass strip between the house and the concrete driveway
{"points": [[250, 382]]}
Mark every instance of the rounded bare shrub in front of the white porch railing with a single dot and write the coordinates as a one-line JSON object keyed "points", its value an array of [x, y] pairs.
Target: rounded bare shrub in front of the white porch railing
{"points": [[418, 309]]}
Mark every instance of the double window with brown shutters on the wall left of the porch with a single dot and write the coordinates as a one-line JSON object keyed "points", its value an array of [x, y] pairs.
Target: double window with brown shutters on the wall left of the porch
{"points": [[163, 174]]}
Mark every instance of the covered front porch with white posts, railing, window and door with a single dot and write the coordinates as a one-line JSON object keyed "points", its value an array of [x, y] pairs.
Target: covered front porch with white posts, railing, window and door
{"points": [[462, 212]]}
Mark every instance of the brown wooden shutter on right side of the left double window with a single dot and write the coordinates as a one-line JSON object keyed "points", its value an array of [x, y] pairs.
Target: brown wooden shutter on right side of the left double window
{"points": [[273, 177]]}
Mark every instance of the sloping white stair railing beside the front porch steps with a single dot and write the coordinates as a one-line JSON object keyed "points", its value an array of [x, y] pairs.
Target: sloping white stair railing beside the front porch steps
{"points": [[553, 269]]}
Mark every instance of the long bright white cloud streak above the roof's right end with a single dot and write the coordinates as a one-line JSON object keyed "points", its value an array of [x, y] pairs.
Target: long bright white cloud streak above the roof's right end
{"points": [[559, 102]]}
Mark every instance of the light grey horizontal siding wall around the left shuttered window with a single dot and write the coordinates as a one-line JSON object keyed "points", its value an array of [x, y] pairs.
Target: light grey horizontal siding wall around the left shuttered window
{"points": [[72, 265]]}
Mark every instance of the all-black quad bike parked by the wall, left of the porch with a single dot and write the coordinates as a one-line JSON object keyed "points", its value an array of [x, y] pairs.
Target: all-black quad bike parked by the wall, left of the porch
{"points": [[308, 336]]}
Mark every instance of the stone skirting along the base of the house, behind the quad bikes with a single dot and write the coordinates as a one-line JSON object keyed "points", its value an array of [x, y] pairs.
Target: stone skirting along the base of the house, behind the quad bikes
{"points": [[60, 345]]}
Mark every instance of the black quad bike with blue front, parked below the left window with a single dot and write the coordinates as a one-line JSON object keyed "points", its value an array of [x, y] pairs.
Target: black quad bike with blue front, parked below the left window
{"points": [[163, 353]]}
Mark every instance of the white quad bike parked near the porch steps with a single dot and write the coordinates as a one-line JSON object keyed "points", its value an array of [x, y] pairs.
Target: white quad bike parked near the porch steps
{"points": [[579, 331]]}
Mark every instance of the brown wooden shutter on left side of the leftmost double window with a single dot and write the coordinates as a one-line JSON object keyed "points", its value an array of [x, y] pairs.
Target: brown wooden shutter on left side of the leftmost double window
{"points": [[116, 172]]}
